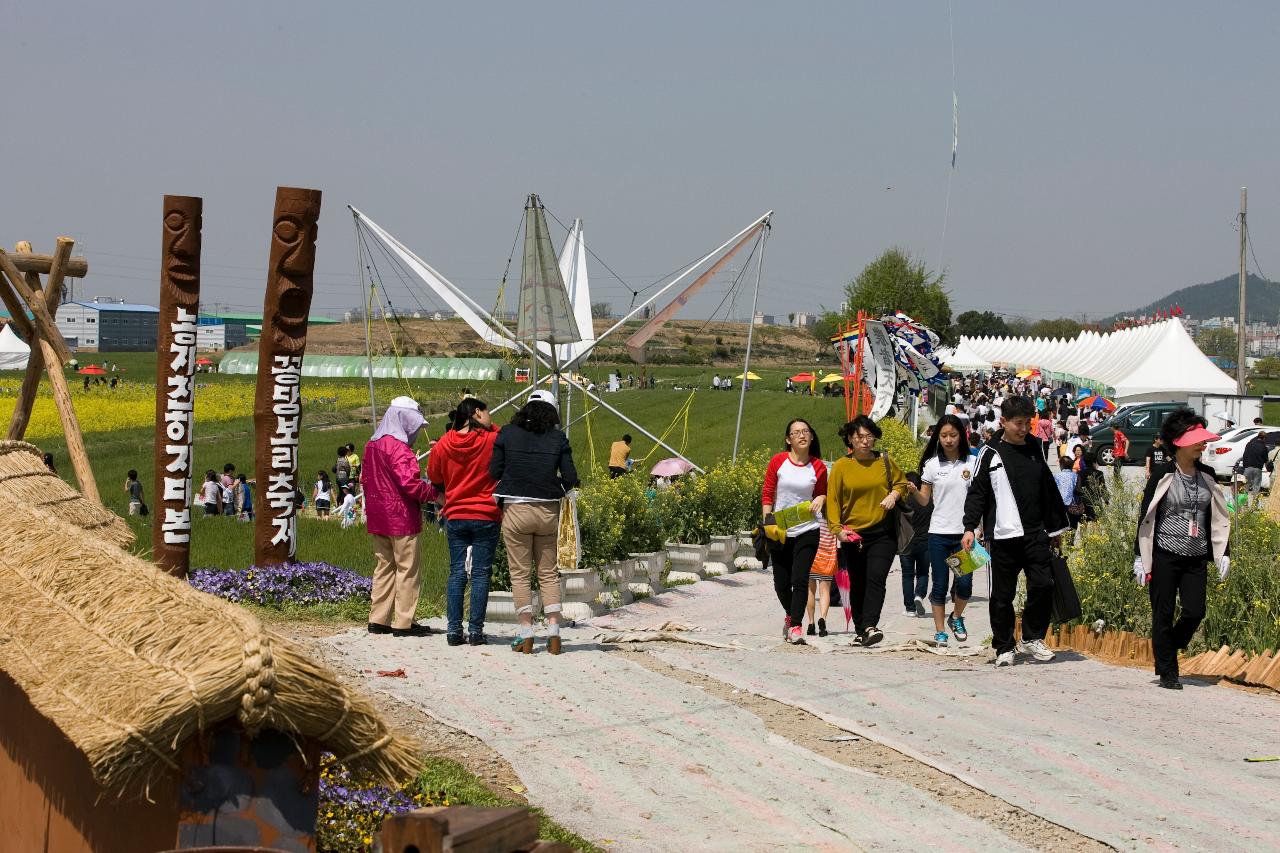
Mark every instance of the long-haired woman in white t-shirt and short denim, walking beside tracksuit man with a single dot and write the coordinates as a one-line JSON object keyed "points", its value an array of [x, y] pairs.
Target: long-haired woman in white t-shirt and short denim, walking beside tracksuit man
{"points": [[947, 471]]}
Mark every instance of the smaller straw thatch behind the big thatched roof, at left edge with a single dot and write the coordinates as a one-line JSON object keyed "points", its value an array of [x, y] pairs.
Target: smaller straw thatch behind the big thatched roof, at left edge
{"points": [[24, 478]]}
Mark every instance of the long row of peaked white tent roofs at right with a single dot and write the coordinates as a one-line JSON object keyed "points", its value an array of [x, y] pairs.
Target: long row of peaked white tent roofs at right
{"points": [[1156, 362]]}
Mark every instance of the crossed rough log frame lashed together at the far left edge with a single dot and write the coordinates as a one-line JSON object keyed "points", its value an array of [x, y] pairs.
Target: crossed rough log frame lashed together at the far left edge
{"points": [[49, 353]]}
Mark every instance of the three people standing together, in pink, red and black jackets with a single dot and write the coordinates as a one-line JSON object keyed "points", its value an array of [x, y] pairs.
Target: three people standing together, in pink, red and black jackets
{"points": [[492, 482]]}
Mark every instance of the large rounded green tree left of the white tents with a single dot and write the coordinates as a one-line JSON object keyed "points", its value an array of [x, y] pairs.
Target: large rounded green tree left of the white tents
{"points": [[897, 282]]}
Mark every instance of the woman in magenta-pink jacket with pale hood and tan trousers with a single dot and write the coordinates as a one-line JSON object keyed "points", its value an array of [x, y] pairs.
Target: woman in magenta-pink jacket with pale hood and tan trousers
{"points": [[395, 492]]}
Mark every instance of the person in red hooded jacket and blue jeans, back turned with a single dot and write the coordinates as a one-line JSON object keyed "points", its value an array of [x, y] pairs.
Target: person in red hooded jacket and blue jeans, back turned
{"points": [[459, 467]]}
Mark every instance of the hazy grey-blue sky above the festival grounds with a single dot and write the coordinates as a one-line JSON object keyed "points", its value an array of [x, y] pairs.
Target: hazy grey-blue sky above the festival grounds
{"points": [[1103, 147]]}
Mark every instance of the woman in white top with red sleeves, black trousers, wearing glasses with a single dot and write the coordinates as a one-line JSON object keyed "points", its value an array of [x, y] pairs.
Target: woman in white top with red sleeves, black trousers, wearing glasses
{"points": [[792, 480]]}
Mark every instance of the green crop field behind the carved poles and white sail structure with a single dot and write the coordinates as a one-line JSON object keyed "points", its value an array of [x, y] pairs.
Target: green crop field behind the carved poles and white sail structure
{"points": [[222, 542]]}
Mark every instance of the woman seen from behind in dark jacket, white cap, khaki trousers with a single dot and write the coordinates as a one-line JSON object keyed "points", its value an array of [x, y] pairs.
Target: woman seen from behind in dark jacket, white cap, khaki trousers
{"points": [[534, 468]]}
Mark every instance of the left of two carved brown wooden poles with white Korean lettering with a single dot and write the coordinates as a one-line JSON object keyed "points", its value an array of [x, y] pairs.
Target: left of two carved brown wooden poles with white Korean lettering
{"points": [[176, 393]]}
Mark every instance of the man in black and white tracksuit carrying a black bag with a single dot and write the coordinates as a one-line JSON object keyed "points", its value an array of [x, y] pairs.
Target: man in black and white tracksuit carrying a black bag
{"points": [[1014, 499]]}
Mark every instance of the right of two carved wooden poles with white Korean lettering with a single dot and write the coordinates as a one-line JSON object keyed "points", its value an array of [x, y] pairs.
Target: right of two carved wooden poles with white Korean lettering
{"points": [[278, 404]]}
